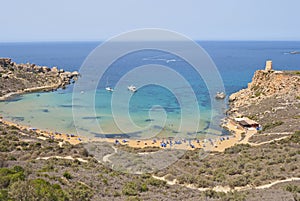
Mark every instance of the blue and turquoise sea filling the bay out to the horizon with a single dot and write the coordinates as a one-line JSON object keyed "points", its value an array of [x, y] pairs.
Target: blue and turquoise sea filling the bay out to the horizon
{"points": [[153, 110]]}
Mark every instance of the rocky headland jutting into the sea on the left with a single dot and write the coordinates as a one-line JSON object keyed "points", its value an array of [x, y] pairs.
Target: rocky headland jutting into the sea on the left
{"points": [[21, 78]]}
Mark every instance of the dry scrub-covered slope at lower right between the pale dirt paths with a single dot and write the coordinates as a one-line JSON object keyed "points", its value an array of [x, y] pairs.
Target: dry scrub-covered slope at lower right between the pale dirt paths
{"points": [[240, 165]]}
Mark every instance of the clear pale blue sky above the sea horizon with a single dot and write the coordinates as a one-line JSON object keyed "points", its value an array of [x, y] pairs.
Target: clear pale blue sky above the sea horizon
{"points": [[78, 20]]}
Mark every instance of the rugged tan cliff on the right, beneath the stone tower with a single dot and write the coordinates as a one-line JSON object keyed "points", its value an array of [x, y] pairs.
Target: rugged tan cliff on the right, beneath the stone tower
{"points": [[273, 97]]}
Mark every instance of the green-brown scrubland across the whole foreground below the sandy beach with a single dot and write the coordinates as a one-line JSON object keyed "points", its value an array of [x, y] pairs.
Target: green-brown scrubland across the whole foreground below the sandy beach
{"points": [[61, 179]]}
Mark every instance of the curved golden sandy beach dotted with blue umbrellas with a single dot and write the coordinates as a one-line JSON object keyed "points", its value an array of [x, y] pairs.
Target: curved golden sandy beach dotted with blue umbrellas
{"points": [[218, 144]]}
